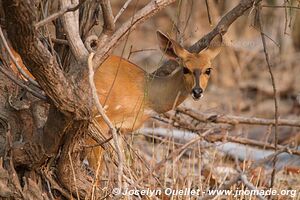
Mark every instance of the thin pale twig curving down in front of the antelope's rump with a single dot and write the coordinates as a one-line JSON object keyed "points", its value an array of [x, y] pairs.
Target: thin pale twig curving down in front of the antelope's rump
{"points": [[106, 120]]}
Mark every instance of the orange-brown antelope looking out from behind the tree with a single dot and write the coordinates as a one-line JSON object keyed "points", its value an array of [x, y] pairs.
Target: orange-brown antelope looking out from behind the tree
{"points": [[130, 95]]}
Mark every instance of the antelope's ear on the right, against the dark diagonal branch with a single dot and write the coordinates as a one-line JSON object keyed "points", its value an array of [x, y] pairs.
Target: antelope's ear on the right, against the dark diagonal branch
{"points": [[214, 47]]}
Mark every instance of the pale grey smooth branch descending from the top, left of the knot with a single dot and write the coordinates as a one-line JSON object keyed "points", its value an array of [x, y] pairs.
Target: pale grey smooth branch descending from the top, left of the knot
{"points": [[70, 22]]}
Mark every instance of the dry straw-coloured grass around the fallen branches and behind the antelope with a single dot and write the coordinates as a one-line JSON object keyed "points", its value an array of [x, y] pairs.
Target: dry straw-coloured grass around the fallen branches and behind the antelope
{"points": [[240, 85]]}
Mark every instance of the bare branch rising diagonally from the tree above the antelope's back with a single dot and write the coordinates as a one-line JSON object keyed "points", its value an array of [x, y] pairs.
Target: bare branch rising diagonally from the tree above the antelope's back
{"points": [[145, 13]]}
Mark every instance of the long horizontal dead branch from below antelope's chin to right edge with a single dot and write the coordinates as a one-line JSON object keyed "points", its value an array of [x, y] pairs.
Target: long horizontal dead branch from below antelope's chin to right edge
{"points": [[235, 120]]}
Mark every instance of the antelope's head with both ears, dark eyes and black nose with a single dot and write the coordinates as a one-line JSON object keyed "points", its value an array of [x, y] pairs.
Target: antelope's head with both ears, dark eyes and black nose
{"points": [[196, 66]]}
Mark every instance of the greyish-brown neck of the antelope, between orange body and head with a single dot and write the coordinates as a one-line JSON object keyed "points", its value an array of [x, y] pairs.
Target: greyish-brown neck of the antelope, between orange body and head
{"points": [[162, 93]]}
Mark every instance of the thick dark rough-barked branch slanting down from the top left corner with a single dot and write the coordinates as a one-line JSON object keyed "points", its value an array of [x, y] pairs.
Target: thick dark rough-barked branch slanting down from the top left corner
{"points": [[20, 17]]}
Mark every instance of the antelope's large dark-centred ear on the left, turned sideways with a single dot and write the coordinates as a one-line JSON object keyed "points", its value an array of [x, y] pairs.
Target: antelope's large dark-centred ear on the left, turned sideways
{"points": [[170, 47]]}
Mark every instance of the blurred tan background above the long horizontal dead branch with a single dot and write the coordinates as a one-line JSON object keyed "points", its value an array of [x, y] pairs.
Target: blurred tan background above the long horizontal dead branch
{"points": [[240, 83]]}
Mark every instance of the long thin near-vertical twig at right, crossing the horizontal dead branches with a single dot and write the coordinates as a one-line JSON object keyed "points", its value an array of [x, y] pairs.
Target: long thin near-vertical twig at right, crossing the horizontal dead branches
{"points": [[275, 94]]}
